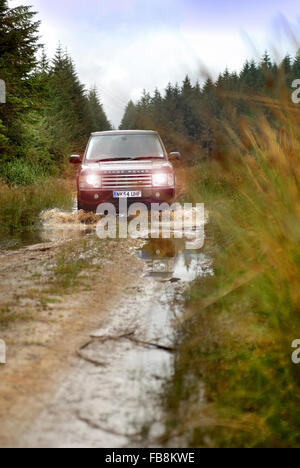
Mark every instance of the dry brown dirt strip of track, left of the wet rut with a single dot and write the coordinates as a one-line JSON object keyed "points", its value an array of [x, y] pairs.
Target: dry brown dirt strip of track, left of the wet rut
{"points": [[44, 344]]}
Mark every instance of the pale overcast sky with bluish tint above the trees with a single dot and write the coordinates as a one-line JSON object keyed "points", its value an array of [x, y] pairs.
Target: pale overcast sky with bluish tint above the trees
{"points": [[124, 46]]}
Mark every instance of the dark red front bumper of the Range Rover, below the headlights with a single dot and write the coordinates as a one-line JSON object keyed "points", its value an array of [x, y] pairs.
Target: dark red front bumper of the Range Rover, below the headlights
{"points": [[91, 198]]}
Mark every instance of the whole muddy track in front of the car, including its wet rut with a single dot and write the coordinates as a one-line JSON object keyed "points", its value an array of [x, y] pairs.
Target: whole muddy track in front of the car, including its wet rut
{"points": [[86, 364]]}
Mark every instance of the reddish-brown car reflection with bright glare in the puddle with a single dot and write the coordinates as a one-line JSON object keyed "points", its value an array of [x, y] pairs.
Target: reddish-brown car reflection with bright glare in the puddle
{"points": [[168, 260]]}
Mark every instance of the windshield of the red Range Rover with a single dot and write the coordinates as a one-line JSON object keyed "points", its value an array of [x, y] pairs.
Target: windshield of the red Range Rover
{"points": [[124, 147]]}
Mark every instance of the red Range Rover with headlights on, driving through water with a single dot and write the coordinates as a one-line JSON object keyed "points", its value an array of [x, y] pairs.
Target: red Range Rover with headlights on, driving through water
{"points": [[132, 164]]}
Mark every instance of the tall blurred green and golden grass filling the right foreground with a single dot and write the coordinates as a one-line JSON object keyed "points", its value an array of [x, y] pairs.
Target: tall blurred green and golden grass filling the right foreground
{"points": [[240, 324]]}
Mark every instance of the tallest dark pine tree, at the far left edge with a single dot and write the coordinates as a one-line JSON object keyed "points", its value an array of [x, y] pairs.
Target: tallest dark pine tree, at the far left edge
{"points": [[18, 47]]}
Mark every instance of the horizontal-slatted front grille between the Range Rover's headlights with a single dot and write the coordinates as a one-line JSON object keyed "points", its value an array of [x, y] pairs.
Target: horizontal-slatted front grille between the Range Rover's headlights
{"points": [[113, 181]]}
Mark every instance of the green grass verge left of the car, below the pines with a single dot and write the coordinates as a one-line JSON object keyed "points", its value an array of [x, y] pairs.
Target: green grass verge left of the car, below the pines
{"points": [[20, 206]]}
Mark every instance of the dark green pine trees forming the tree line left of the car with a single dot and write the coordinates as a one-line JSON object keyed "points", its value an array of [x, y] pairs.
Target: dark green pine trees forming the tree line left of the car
{"points": [[48, 112]]}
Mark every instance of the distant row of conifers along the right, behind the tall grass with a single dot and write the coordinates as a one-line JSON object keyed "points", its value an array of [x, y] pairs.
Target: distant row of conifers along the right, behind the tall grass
{"points": [[192, 118]]}
